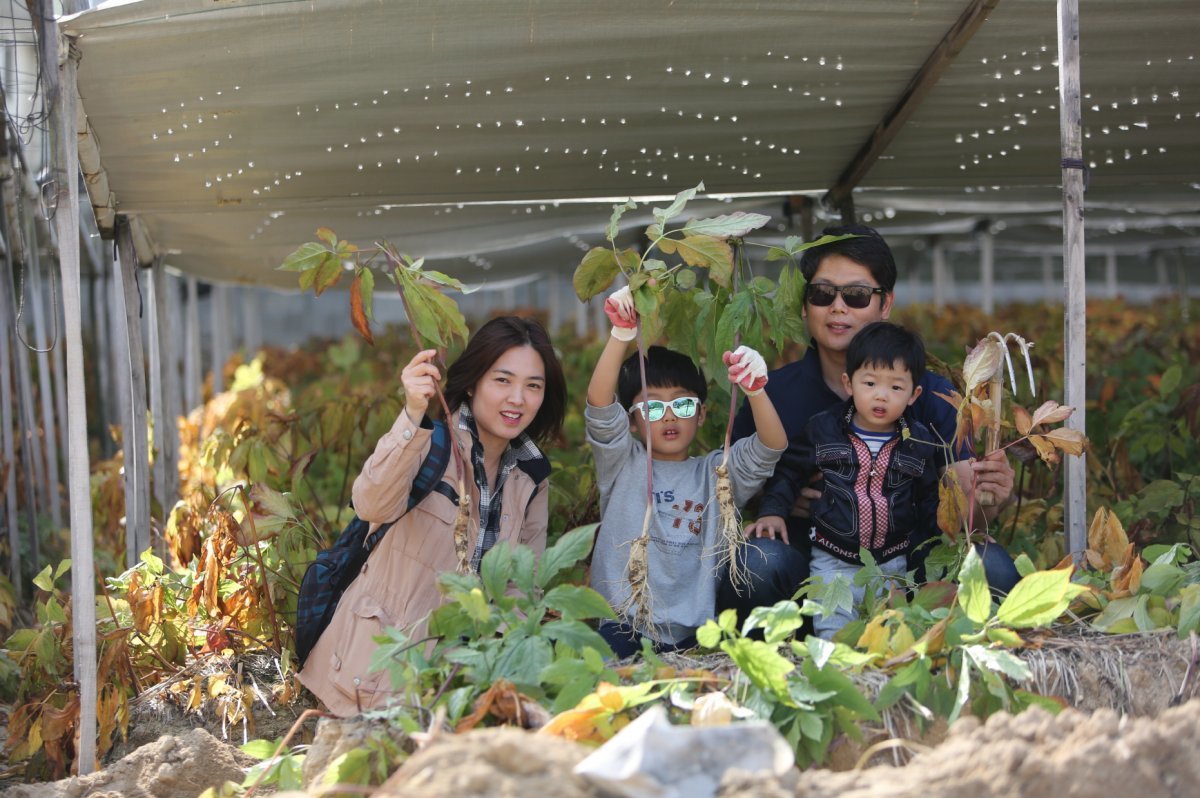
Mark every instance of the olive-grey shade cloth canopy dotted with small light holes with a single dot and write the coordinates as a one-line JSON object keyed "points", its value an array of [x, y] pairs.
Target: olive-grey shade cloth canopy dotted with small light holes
{"points": [[470, 131]]}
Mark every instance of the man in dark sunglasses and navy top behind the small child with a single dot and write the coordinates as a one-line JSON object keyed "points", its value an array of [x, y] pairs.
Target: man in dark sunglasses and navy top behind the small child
{"points": [[850, 285]]}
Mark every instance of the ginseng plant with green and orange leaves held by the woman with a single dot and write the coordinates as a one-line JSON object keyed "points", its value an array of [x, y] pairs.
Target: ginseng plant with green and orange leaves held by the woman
{"points": [[433, 317]]}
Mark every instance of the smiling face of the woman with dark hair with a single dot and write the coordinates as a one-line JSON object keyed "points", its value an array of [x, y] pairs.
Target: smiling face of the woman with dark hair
{"points": [[507, 398]]}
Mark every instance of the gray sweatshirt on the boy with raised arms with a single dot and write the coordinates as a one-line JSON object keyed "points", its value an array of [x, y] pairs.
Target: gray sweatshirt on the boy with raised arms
{"points": [[685, 530]]}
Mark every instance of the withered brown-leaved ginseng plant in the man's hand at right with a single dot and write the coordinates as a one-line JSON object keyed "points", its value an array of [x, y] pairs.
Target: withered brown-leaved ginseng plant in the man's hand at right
{"points": [[981, 413]]}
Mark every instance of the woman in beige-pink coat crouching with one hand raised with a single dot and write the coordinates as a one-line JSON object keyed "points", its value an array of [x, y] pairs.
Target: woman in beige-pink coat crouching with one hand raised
{"points": [[505, 393]]}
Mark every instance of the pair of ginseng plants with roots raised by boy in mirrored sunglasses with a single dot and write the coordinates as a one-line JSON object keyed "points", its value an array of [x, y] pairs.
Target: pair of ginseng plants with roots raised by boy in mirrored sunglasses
{"points": [[704, 321]]}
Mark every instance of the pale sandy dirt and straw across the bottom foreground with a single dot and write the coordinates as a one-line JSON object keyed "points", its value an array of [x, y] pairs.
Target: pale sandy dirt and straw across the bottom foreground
{"points": [[1126, 742]]}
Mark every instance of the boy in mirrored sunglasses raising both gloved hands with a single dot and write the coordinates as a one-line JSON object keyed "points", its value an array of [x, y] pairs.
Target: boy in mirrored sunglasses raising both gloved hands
{"points": [[685, 529]]}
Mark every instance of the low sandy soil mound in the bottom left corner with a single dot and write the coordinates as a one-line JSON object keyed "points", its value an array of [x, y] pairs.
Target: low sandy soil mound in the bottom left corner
{"points": [[171, 767]]}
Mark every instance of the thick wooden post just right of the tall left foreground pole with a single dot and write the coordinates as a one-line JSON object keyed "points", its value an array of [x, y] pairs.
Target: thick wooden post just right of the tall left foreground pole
{"points": [[135, 439]]}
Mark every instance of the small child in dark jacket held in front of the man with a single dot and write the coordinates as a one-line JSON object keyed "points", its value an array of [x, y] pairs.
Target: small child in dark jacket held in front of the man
{"points": [[880, 466]]}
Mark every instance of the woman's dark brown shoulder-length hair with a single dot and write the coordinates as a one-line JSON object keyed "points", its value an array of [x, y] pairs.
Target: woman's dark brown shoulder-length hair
{"points": [[489, 344]]}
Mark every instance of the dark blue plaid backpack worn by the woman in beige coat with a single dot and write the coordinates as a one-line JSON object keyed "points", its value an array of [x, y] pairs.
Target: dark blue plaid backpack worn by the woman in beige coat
{"points": [[328, 577]]}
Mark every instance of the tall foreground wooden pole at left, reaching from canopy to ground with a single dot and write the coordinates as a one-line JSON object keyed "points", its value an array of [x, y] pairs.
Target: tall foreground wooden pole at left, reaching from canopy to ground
{"points": [[83, 587]]}
